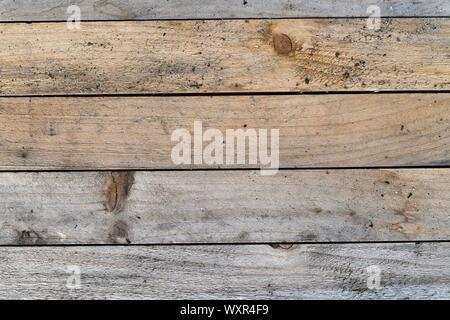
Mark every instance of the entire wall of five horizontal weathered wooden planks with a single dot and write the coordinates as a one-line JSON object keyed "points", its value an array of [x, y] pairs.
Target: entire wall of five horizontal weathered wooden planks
{"points": [[87, 180]]}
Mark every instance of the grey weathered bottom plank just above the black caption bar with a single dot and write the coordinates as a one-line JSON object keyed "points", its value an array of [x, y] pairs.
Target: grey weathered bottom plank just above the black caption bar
{"points": [[407, 271]]}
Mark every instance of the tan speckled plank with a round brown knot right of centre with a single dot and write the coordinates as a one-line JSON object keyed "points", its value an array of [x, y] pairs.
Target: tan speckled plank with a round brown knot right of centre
{"points": [[224, 56]]}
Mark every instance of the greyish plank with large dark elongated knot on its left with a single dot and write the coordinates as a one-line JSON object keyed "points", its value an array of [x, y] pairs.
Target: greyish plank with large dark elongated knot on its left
{"points": [[224, 206]]}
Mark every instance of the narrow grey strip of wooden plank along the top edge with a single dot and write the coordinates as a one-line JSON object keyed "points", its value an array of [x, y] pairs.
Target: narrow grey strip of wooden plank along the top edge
{"points": [[56, 10]]}
